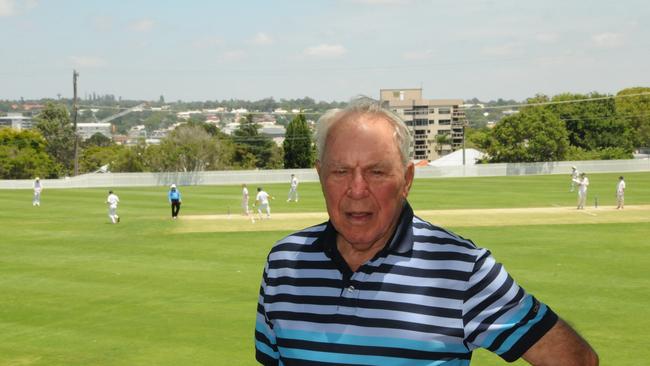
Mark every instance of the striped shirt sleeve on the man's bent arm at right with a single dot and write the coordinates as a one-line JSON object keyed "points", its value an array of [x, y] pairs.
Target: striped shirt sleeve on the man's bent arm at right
{"points": [[499, 315]]}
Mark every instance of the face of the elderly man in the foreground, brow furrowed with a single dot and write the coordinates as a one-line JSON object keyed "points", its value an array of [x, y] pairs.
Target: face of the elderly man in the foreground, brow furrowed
{"points": [[364, 180]]}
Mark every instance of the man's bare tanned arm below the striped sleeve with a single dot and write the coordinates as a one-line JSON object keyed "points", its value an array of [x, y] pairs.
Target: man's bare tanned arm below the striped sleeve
{"points": [[560, 346]]}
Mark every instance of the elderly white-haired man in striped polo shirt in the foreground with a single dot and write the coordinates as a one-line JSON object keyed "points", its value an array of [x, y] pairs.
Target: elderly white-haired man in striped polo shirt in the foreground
{"points": [[376, 285]]}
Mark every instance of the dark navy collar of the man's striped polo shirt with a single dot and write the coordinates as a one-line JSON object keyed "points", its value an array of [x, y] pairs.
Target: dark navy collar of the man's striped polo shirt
{"points": [[401, 240]]}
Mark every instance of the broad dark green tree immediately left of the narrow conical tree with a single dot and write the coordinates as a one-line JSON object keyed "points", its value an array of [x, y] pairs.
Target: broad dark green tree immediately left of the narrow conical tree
{"points": [[253, 150]]}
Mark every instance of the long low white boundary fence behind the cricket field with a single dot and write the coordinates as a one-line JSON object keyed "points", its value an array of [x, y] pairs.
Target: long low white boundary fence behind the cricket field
{"points": [[235, 177]]}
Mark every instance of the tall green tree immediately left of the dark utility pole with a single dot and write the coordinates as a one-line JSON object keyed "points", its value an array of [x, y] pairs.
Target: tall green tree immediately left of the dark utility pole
{"points": [[54, 124]]}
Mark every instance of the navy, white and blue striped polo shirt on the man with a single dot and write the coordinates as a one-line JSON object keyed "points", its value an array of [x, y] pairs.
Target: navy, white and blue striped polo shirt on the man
{"points": [[429, 297]]}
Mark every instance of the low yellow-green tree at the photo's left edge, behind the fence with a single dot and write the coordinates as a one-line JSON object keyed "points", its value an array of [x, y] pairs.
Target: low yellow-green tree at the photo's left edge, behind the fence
{"points": [[23, 155]]}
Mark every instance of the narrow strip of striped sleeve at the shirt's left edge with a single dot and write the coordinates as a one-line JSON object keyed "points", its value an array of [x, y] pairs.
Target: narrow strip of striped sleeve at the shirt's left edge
{"points": [[266, 349]]}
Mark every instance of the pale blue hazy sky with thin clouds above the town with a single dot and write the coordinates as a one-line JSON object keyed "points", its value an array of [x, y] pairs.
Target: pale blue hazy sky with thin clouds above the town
{"points": [[329, 50]]}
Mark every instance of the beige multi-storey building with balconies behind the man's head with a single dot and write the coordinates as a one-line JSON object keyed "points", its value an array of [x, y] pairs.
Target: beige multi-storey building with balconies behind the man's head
{"points": [[436, 125]]}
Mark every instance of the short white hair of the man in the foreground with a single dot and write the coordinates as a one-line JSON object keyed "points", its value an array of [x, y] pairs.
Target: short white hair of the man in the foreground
{"points": [[362, 105]]}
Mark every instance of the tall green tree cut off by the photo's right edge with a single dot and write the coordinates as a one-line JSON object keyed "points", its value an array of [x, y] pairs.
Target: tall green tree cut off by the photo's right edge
{"points": [[636, 111]]}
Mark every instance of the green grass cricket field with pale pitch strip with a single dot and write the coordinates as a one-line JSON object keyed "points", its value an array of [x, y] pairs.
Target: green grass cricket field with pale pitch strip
{"points": [[76, 290]]}
